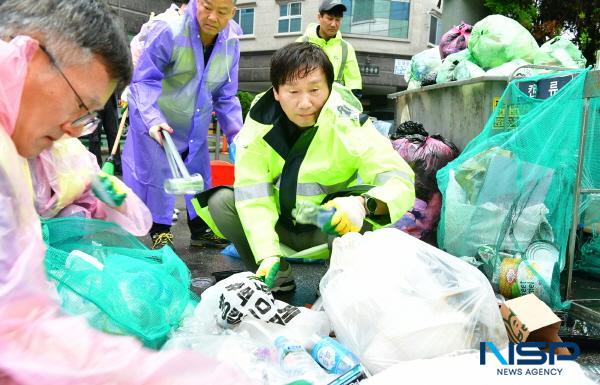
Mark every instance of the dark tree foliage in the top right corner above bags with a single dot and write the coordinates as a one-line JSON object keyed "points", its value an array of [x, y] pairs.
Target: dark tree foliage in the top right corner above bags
{"points": [[548, 18]]}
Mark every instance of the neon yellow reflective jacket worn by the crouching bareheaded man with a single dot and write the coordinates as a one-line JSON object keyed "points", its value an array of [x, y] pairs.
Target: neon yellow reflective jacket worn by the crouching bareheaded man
{"points": [[342, 152]]}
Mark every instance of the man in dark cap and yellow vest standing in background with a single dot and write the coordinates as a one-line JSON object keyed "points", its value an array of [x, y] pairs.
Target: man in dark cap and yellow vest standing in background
{"points": [[326, 34]]}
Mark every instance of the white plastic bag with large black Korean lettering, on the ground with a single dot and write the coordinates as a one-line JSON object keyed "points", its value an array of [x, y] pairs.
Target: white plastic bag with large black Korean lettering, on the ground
{"points": [[237, 321]]}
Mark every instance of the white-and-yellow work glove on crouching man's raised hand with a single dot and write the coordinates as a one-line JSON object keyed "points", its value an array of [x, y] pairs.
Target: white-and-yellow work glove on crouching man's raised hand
{"points": [[349, 214]]}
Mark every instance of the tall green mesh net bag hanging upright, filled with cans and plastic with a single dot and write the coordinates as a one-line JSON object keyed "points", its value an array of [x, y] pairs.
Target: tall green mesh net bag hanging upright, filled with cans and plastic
{"points": [[508, 198]]}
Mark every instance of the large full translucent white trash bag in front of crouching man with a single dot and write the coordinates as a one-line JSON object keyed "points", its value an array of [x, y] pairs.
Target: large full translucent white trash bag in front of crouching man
{"points": [[391, 297]]}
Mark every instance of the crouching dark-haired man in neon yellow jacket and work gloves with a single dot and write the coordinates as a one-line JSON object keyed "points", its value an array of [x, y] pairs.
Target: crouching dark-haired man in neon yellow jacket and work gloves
{"points": [[305, 140]]}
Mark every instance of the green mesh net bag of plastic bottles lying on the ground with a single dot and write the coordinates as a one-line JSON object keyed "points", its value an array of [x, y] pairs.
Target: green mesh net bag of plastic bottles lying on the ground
{"points": [[107, 275]]}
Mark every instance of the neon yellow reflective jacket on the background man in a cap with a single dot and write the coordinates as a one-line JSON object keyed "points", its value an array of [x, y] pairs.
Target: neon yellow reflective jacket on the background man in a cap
{"points": [[340, 52]]}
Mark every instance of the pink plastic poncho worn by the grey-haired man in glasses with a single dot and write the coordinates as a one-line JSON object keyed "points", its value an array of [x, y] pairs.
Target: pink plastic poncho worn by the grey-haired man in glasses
{"points": [[39, 345]]}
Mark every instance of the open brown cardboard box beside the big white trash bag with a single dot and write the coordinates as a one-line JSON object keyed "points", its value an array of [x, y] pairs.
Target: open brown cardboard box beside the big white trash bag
{"points": [[527, 318]]}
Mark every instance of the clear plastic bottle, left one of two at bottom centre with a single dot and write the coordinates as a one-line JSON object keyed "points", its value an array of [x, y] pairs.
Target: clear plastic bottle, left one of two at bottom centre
{"points": [[296, 362]]}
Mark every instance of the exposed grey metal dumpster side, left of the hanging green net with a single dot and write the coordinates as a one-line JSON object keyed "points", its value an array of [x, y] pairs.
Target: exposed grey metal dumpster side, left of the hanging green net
{"points": [[456, 110]]}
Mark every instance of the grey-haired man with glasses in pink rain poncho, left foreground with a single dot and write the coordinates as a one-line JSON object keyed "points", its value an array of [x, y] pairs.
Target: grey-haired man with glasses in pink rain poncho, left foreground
{"points": [[59, 61]]}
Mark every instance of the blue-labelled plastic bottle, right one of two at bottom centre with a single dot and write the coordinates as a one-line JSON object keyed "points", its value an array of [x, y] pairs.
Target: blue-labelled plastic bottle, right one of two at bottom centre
{"points": [[332, 355]]}
